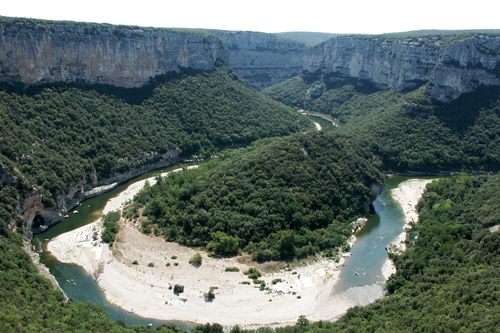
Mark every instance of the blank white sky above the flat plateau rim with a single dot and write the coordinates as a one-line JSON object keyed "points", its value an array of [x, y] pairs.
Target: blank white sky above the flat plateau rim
{"points": [[344, 16]]}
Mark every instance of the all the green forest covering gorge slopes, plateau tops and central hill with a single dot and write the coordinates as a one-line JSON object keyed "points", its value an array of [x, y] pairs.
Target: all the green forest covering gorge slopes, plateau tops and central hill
{"points": [[281, 198]]}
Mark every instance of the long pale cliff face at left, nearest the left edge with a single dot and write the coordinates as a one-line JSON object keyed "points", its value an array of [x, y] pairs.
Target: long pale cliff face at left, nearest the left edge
{"points": [[124, 57]]}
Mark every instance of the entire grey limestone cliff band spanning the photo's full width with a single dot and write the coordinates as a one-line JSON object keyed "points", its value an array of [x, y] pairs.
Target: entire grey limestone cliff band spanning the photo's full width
{"points": [[130, 56]]}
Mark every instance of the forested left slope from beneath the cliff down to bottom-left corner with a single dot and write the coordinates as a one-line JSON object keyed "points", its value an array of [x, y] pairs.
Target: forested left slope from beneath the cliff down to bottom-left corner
{"points": [[55, 135]]}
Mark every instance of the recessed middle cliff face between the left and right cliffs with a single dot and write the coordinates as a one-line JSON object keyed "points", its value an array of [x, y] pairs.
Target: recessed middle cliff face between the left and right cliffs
{"points": [[263, 59]]}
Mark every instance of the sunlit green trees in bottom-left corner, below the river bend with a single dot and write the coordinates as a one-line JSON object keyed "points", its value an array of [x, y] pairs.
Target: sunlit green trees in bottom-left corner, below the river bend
{"points": [[30, 303]]}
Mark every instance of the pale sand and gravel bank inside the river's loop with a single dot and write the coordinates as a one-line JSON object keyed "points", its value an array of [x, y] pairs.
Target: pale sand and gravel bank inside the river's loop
{"points": [[138, 274]]}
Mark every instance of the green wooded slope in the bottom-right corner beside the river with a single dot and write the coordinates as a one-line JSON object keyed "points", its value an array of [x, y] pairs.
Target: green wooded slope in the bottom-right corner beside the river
{"points": [[447, 279]]}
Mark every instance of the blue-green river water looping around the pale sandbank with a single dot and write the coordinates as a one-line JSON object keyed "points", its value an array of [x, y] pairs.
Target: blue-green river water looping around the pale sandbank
{"points": [[362, 270]]}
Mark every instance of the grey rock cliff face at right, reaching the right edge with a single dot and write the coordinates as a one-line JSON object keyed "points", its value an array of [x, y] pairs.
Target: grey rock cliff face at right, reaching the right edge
{"points": [[450, 71]]}
